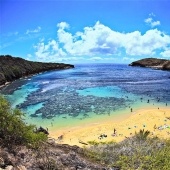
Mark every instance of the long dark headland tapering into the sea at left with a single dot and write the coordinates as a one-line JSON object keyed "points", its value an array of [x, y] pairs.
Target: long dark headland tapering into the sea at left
{"points": [[12, 68]]}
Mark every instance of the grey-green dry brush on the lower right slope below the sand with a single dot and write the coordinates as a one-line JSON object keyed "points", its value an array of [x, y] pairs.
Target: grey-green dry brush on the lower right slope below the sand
{"points": [[138, 152]]}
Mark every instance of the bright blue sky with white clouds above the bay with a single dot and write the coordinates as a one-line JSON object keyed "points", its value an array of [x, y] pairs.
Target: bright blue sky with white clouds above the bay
{"points": [[85, 31]]}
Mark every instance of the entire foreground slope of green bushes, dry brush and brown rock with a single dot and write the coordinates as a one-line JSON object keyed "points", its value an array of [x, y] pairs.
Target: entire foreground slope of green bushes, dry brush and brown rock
{"points": [[21, 147]]}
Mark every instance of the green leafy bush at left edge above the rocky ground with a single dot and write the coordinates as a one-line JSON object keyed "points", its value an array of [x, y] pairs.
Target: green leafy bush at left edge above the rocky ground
{"points": [[14, 131]]}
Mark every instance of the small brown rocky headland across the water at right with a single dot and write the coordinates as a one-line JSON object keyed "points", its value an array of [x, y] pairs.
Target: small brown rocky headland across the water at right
{"points": [[152, 63]]}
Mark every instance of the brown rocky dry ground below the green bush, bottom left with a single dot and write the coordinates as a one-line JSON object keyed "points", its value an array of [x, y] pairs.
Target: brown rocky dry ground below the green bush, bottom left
{"points": [[51, 156]]}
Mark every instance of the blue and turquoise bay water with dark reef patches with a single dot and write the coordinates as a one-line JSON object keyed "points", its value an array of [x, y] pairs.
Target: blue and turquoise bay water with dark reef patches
{"points": [[88, 92]]}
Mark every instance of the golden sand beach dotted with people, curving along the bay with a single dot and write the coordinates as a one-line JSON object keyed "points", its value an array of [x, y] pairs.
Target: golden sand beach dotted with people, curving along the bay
{"points": [[142, 119]]}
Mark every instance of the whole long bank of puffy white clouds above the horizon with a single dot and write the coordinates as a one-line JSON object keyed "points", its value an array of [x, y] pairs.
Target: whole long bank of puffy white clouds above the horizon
{"points": [[102, 41]]}
